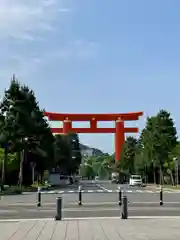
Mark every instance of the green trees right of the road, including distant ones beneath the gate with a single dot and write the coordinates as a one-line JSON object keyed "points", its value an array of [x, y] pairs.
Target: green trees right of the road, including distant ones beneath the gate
{"points": [[152, 155]]}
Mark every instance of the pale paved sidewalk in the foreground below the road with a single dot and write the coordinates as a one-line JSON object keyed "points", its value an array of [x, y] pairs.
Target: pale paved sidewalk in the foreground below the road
{"points": [[91, 229]]}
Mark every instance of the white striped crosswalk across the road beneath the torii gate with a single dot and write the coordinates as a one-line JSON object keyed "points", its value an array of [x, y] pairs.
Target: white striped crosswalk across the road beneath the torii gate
{"points": [[108, 191]]}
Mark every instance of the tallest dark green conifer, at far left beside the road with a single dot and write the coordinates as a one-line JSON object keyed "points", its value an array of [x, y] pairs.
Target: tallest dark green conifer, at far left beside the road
{"points": [[25, 127]]}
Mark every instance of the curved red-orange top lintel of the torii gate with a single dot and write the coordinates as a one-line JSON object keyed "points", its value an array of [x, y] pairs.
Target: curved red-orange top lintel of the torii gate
{"points": [[89, 116]]}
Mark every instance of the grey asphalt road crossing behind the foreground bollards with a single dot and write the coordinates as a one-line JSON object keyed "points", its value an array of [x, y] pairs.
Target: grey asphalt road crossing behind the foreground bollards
{"points": [[94, 204]]}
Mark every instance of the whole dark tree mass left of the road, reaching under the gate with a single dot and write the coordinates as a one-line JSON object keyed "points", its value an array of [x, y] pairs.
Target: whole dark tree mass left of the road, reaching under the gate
{"points": [[26, 139]]}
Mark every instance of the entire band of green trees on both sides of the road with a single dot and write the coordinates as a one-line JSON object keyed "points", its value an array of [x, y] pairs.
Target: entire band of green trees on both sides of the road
{"points": [[26, 141]]}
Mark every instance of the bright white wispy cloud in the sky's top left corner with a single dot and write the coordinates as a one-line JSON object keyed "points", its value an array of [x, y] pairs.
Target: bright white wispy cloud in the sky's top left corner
{"points": [[24, 18]]}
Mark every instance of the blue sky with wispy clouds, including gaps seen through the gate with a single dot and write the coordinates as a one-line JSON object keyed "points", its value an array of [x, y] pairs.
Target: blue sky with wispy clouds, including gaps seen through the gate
{"points": [[94, 56]]}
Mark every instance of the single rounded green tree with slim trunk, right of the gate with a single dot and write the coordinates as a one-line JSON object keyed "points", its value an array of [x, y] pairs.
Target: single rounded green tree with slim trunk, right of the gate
{"points": [[158, 139]]}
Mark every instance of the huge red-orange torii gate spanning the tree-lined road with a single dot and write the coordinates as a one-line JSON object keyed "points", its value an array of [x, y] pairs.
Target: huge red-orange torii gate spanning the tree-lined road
{"points": [[119, 129]]}
